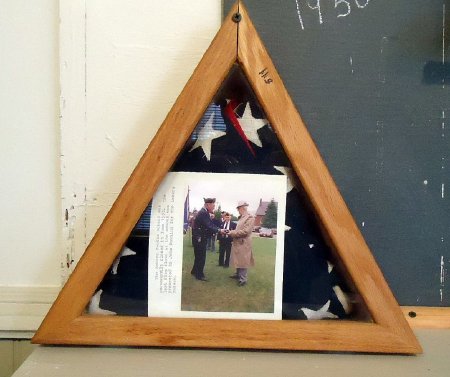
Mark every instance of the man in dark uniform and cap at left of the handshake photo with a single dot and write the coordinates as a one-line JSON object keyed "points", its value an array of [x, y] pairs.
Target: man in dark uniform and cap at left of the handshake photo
{"points": [[202, 230]]}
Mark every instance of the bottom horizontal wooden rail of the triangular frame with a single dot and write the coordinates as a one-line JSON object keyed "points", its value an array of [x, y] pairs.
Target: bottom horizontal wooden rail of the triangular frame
{"points": [[212, 333]]}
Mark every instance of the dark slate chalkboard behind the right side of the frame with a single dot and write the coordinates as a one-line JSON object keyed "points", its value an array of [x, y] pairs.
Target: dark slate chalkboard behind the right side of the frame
{"points": [[370, 79]]}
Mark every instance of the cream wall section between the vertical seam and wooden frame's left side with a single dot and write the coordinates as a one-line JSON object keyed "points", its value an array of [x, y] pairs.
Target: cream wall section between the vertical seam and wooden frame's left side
{"points": [[122, 67]]}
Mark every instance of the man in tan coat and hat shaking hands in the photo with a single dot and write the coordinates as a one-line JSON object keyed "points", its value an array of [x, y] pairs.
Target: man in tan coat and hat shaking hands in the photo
{"points": [[241, 249]]}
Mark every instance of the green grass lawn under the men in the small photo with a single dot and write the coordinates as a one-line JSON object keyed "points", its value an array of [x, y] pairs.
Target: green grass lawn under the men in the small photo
{"points": [[222, 294]]}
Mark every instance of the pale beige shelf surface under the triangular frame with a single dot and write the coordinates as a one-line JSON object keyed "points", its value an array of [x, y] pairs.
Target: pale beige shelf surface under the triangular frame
{"points": [[51, 361]]}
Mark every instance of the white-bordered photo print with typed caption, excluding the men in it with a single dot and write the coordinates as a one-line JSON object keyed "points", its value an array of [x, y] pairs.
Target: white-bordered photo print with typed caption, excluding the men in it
{"points": [[173, 290]]}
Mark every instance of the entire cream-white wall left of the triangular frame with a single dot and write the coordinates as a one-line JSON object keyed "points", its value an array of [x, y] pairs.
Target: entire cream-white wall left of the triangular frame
{"points": [[120, 66]]}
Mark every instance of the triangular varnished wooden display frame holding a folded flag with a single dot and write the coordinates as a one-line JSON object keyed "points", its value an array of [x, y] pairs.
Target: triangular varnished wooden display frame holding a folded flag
{"points": [[388, 333]]}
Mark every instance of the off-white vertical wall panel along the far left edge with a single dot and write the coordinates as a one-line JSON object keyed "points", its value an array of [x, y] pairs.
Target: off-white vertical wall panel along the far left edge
{"points": [[29, 194]]}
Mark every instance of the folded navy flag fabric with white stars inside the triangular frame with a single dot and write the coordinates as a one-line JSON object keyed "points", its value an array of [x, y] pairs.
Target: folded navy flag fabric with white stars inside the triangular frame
{"points": [[234, 137]]}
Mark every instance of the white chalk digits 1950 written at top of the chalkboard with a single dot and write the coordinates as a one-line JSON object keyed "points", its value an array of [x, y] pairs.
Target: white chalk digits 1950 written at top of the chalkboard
{"points": [[342, 8]]}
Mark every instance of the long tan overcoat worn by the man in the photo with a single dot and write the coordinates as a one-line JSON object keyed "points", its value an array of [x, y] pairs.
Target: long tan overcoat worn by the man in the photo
{"points": [[241, 248]]}
